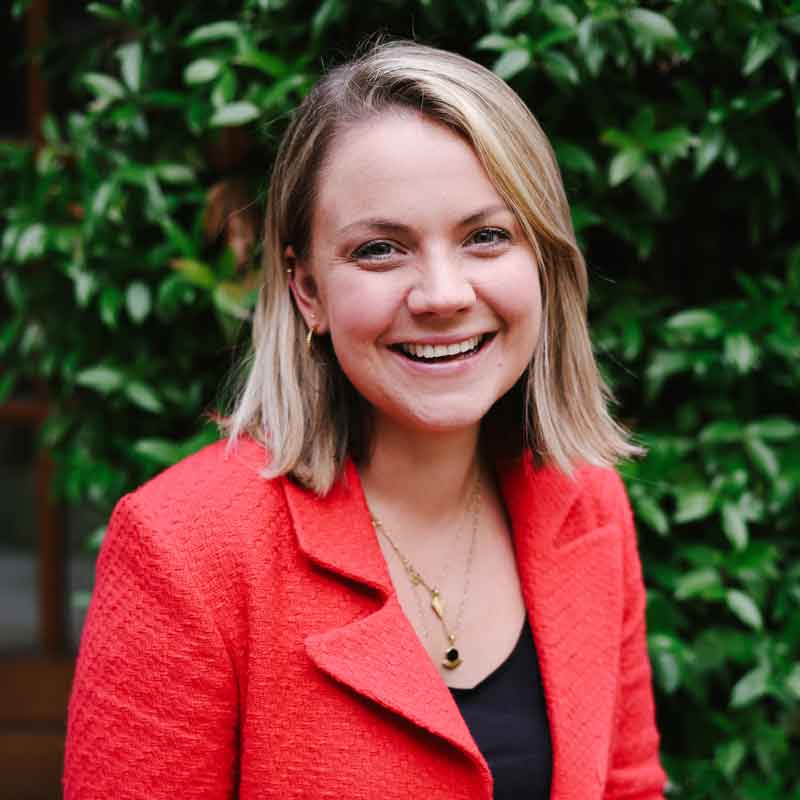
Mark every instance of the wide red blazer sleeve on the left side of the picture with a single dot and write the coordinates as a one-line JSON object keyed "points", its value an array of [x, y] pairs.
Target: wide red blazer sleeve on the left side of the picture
{"points": [[153, 711]]}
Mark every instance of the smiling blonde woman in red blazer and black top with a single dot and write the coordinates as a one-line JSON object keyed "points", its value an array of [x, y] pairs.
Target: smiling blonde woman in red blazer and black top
{"points": [[429, 586]]}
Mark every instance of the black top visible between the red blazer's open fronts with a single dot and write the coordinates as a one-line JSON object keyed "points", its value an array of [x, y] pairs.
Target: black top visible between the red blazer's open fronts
{"points": [[506, 716]]}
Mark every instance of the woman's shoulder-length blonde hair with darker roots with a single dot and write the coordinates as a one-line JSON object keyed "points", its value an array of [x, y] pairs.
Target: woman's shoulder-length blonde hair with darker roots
{"points": [[298, 402]]}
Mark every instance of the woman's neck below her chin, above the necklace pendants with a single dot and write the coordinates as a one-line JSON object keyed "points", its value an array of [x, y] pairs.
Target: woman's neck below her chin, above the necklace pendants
{"points": [[431, 473]]}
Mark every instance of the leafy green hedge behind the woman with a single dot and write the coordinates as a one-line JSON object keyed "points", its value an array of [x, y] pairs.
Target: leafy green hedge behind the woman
{"points": [[128, 253]]}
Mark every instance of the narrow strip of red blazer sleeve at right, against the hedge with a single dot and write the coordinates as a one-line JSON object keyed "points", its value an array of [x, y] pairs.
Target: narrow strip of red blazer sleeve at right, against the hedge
{"points": [[635, 771]]}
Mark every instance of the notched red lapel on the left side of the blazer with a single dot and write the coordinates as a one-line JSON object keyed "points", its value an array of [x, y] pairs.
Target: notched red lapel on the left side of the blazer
{"points": [[378, 655]]}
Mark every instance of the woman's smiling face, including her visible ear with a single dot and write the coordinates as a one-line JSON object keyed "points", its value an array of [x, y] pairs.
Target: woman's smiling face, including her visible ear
{"points": [[421, 275]]}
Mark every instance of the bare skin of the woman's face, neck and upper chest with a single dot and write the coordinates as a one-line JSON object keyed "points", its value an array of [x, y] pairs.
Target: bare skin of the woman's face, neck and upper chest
{"points": [[411, 243]]}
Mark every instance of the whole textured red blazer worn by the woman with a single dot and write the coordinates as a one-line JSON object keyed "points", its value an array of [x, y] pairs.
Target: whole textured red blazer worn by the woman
{"points": [[244, 640]]}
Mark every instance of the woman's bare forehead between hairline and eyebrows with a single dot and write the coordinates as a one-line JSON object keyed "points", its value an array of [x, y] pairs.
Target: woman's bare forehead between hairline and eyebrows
{"points": [[401, 164]]}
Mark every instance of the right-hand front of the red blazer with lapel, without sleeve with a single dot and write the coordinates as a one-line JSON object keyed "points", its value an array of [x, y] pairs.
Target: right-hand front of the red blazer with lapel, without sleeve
{"points": [[571, 575]]}
